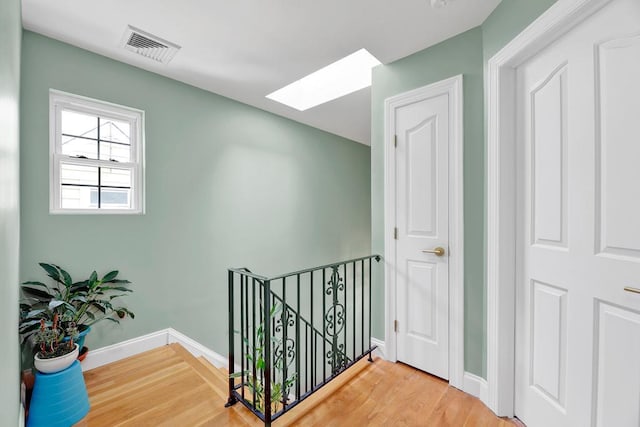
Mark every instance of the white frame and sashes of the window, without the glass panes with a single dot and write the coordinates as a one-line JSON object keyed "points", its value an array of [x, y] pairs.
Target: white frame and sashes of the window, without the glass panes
{"points": [[59, 101]]}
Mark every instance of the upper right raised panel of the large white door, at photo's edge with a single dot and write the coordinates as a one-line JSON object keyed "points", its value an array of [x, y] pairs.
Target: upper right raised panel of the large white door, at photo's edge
{"points": [[618, 147]]}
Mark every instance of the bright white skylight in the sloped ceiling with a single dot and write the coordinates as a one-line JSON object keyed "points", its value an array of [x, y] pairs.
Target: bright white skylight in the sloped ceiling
{"points": [[341, 78]]}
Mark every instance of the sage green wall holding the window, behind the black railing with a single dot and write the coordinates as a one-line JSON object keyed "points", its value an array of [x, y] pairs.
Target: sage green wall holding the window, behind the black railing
{"points": [[226, 185]]}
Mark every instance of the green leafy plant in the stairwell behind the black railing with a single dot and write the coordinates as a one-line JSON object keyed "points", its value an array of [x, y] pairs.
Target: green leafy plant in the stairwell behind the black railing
{"points": [[255, 384]]}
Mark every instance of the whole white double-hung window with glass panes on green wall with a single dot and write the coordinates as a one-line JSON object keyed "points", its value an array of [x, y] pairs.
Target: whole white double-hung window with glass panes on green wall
{"points": [[97, 156]]}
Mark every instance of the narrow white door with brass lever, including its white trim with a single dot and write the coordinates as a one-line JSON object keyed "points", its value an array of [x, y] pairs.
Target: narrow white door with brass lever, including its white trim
{"points": [[423, 239]]}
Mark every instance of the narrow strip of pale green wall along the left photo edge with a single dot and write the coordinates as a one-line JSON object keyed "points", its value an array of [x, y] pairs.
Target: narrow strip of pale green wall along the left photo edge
{"points": [[10, 44]]}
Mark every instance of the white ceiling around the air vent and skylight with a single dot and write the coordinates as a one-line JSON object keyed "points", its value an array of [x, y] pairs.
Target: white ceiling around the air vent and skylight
{"points": [[247, 49]]}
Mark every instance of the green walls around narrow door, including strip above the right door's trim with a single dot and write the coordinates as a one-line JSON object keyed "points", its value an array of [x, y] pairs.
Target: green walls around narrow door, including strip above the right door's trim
{"points": [[465, 54]]}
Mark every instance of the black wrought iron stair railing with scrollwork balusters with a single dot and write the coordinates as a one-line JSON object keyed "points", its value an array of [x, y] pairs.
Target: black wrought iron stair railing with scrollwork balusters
{"points": [[290, 335]]}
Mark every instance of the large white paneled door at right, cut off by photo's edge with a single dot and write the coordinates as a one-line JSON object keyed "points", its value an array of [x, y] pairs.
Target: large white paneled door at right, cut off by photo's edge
{"points": [[577, 328]]}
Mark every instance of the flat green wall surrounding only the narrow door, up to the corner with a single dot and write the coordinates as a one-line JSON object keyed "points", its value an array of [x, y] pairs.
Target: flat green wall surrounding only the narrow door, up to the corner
{"points": [[459, 55]]}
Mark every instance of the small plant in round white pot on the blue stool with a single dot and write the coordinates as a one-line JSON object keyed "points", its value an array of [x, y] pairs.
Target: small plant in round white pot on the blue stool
{"points": [[54, 355]]}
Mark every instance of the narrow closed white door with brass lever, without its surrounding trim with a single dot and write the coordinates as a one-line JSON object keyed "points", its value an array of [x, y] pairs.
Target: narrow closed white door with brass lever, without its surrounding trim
{"points": [[422, 275]]}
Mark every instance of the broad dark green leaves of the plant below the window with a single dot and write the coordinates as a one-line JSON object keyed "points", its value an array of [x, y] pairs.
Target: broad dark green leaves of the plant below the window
{"points": [[82, 303]]}
